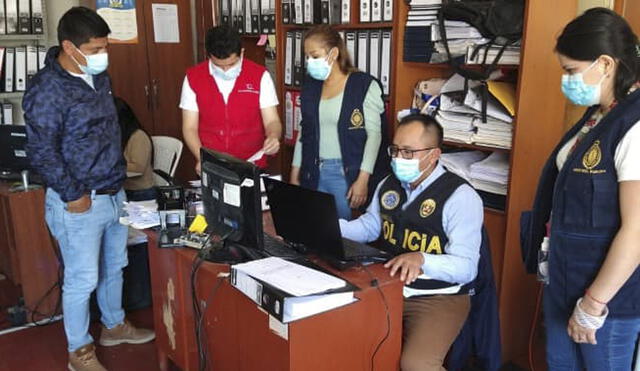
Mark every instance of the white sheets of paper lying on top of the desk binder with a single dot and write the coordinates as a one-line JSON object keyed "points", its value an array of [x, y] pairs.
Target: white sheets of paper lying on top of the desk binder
{"points": [[290, 277]]}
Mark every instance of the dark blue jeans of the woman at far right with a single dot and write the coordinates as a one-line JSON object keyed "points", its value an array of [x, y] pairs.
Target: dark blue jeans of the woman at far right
{"points": [[614, 351]]}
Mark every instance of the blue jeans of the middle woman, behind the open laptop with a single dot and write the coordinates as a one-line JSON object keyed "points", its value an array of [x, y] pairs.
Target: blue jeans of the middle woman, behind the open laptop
{"points": [[332, 180]]}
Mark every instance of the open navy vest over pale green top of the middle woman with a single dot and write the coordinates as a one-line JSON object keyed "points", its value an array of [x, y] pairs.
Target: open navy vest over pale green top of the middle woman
{"points": [[351, 131]]}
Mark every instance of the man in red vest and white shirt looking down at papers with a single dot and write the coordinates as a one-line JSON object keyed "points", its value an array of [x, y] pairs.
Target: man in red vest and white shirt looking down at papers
{"points": [[229, 104]]}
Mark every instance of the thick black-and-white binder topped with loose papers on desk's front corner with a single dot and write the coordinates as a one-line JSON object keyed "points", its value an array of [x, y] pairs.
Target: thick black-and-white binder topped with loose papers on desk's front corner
{"points": [[290, 291]]}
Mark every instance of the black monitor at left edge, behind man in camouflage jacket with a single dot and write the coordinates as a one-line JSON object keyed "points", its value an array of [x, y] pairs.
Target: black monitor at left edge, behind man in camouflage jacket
{"points": [[13, 153]]}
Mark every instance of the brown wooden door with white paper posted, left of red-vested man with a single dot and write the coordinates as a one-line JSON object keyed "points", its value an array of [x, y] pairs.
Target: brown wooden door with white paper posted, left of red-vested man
{"points": [[167, 63]]}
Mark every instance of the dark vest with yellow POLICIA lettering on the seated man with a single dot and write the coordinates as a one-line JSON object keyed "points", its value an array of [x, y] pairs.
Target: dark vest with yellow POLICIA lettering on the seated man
{"points": [[419, 226]]}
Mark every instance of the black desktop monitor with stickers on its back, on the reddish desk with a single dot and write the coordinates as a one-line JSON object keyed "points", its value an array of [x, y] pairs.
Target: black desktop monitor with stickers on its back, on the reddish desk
{"points": [[231, 198]]}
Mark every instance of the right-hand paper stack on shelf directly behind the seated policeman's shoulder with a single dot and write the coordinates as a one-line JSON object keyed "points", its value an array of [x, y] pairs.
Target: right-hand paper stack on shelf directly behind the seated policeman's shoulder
{"points": [[491, 174]]}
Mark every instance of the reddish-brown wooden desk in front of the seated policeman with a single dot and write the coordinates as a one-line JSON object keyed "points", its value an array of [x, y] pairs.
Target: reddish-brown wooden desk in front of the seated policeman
{"points": [[238, 333]]}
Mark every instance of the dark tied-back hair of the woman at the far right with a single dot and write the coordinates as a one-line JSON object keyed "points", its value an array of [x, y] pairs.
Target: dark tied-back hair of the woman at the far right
{"points": [[601, 31]]}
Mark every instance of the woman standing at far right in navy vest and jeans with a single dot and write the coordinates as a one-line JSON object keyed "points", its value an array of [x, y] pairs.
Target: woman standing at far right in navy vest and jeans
{"points": [[589, 197]]}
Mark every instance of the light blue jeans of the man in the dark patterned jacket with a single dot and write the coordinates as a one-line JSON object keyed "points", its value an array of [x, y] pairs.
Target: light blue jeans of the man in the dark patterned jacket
{"points": [[94, 251]]}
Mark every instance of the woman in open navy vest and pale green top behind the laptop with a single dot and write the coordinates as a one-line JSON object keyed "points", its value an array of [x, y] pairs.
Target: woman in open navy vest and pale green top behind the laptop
{"points": [[343, 124]]}
